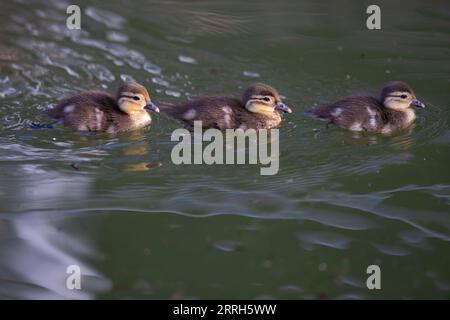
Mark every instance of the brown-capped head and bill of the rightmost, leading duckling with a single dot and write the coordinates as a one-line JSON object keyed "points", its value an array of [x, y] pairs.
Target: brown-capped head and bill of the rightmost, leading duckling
{"points": [[399, 96]]}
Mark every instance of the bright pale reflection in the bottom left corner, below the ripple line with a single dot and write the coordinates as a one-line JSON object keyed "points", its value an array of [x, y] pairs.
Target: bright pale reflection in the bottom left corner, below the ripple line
{"points": [[34, 266]]}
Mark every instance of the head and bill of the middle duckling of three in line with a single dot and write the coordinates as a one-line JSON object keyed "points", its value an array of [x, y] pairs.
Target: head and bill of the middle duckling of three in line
{"points": [[263, 99]]}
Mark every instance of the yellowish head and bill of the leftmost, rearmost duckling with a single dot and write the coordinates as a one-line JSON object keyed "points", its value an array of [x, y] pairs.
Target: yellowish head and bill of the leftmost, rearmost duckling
{"points": [[133, 98]]}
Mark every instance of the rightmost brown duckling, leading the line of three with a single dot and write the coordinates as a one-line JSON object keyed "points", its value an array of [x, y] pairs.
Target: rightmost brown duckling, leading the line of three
{"points": [[365, 113]]}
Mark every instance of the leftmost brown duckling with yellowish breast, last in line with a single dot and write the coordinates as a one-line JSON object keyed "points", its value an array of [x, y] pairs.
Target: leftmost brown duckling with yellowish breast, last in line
{"points": [[101, 112]]}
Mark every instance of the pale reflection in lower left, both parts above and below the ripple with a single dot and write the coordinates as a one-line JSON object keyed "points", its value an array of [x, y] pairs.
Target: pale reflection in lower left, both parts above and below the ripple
{"points": [[35, 252]]}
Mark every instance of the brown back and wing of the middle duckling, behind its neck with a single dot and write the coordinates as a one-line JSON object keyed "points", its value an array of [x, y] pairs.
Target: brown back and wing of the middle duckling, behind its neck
{"points": [[214, 112]]}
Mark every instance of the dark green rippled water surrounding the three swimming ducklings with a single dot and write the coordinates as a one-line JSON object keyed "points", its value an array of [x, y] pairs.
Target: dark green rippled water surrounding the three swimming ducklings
{"points": [[140, 227]]}
